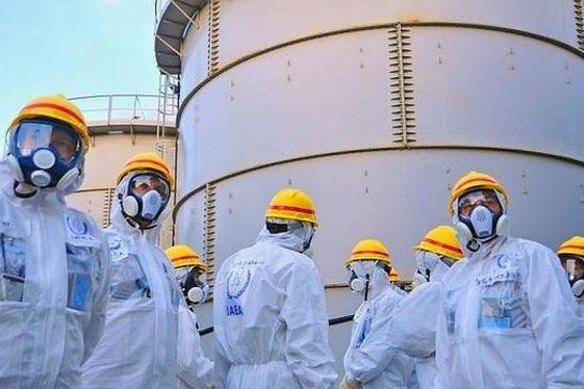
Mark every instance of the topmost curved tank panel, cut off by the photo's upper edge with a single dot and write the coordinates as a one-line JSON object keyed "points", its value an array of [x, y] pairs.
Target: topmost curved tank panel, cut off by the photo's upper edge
{"points": [[248, 26]]}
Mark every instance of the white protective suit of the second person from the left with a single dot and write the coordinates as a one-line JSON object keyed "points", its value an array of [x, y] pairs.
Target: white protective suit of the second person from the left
{"points": [[139, 345]]}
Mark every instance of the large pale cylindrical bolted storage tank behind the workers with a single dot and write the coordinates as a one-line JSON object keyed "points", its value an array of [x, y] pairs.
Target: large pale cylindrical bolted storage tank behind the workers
{"points": [[375, 108]]}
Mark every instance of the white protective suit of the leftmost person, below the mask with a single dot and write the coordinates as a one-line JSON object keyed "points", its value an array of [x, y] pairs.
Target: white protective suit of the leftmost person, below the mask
{"points": [[51, 321]]}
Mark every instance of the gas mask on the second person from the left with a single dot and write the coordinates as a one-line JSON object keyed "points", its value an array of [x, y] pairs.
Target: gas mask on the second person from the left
{"points": [[146, 197]]}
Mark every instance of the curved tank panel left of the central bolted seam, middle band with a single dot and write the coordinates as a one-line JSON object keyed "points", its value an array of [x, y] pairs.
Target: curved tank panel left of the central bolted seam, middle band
{"points": [[290, 93]]}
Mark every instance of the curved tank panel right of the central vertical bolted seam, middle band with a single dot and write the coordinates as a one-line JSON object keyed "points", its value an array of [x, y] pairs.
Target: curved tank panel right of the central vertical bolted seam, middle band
{"points": [[496, 89]]}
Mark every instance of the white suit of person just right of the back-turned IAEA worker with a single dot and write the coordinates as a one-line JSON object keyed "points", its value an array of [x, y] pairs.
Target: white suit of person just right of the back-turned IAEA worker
{"points": [[368, 360]]}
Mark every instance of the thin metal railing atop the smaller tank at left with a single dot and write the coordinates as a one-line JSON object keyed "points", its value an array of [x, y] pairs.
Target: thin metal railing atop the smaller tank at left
{"points": [[119, 107]]}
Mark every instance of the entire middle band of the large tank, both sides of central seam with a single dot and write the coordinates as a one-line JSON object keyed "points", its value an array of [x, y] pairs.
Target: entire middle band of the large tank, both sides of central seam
{"points": [[476, 87]]}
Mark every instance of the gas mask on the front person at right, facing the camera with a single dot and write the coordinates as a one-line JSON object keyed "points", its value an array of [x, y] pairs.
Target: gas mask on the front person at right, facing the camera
{"points": [[479, 216]]}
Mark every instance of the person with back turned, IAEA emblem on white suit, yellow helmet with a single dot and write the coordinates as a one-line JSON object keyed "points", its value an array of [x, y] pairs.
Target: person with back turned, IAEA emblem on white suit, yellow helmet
{"points": [[270, 320]]}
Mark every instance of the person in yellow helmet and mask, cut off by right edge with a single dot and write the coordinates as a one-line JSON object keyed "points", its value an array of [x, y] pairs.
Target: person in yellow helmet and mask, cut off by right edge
{"points": [[571, 253]]}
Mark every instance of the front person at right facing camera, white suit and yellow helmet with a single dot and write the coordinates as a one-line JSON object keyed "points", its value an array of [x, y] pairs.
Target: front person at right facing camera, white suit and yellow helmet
{"points": [[508, 318]]}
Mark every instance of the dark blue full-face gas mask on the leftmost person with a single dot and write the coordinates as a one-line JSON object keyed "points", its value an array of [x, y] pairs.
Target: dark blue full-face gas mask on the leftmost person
{"points": [[45, 154]]}
